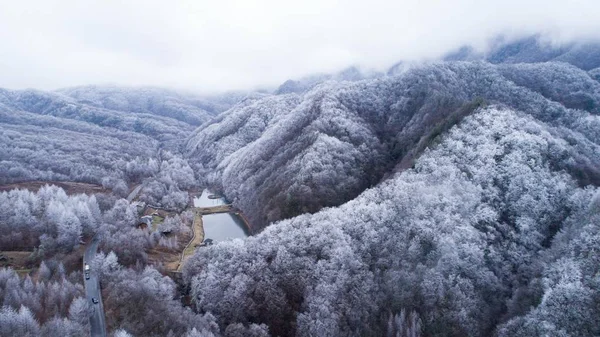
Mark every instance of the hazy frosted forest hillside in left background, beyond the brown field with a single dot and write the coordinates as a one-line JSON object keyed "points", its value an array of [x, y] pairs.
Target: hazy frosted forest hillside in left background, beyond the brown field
{"points": [[88, 134]]}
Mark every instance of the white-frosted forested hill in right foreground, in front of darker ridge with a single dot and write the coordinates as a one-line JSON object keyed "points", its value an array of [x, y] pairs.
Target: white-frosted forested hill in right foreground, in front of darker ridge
{"points": [[463, 244]]}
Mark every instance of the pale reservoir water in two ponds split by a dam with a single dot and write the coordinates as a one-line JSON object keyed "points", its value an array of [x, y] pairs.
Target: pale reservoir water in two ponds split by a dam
{"points": [[221, 226]]}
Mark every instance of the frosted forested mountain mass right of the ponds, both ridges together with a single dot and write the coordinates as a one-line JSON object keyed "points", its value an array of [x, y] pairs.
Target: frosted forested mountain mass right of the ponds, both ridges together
{"points": [[467, 193]]}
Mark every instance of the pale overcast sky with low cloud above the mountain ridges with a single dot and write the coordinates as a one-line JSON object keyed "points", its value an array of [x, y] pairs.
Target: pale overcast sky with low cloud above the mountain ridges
{"points": [[217, 45]]}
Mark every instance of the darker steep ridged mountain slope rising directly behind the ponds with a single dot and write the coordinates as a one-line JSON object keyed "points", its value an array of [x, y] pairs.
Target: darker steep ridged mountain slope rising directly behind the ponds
{"points": [[277, 157]]}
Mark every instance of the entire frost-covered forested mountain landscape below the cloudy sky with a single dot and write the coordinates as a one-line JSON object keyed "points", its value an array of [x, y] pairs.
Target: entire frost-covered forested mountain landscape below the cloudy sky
{"points": [[454, 197]]}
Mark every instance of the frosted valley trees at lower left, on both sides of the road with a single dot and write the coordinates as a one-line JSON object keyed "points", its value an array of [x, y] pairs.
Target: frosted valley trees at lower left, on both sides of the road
{"points": [[51, 301]]}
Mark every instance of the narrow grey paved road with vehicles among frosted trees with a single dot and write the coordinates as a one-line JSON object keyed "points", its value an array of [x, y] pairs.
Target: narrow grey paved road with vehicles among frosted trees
{"points": [[92, 290]]}
